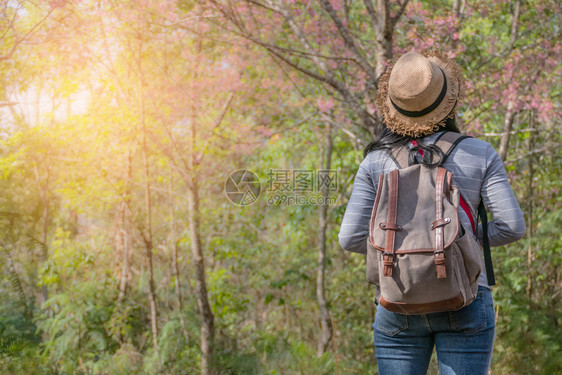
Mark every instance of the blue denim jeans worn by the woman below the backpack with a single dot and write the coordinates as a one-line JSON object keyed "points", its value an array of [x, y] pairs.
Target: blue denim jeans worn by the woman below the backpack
{"points": [[463, 339]]}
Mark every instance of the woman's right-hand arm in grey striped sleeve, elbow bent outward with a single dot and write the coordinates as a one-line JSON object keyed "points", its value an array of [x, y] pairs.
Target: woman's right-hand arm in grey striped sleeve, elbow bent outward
{"points": [[508, 223]]}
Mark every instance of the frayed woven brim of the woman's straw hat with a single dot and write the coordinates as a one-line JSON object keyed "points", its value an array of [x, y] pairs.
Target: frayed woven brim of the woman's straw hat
{"points": [[427, 124]]}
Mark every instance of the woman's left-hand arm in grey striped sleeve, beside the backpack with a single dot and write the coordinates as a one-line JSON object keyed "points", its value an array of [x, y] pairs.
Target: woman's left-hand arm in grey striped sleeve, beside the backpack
{"points": [[354, 229]]}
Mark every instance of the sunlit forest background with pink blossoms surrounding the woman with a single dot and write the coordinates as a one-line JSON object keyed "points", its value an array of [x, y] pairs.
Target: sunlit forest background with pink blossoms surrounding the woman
{"points": [[121, 121]]}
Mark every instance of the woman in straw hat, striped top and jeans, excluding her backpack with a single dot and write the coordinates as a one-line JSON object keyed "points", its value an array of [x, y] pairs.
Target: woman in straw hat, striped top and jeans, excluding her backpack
{"points": [[418, 97]]}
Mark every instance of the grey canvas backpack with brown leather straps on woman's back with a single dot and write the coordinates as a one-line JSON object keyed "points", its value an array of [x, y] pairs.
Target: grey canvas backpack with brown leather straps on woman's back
{"points": [[419, 255]]}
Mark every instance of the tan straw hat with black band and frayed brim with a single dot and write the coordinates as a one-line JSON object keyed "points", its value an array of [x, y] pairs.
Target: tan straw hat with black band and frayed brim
{"points": [[419, 92]]}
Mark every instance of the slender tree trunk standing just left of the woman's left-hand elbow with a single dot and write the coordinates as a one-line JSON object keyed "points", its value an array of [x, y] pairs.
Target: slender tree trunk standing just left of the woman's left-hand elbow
{"points": [[325, 320]]}
